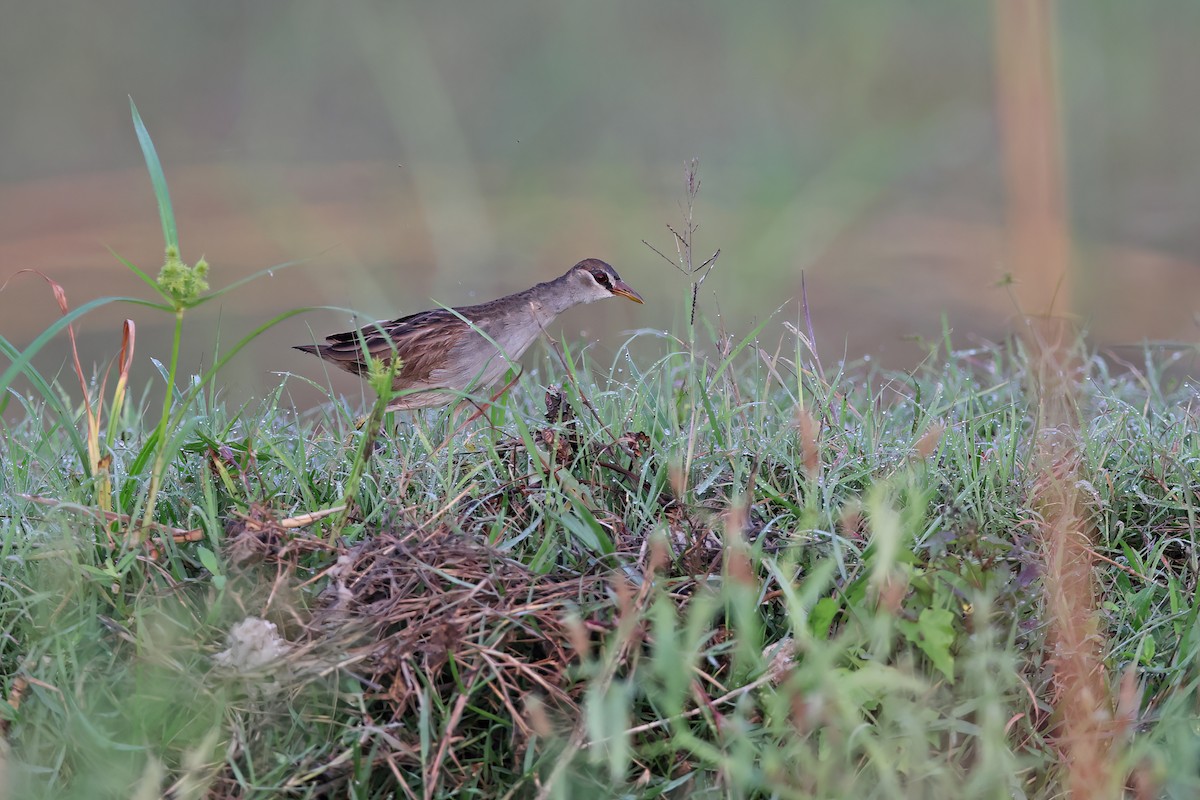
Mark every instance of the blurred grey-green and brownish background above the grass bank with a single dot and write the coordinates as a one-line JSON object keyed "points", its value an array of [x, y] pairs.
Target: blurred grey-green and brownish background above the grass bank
{"points": [[412, 153]]}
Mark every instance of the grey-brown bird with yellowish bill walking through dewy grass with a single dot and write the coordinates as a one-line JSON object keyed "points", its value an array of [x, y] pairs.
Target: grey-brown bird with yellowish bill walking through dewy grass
{"points": [[446, 352]]}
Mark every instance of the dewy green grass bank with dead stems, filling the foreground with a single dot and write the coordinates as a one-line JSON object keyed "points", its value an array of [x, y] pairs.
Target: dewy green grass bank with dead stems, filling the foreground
{"points": [[691, 576]]}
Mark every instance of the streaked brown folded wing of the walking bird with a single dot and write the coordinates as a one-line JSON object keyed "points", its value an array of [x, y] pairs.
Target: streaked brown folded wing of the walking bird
{"points": [[423, 342]]}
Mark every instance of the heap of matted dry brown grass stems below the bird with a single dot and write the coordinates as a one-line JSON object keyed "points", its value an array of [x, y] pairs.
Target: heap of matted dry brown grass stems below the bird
{"points": [[433, 618]]}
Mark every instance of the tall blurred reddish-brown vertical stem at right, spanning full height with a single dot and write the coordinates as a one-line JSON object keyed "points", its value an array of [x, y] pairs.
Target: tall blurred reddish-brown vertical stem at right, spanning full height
{"points": [[1040, 254]]}
